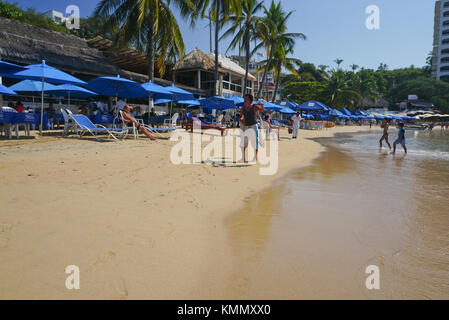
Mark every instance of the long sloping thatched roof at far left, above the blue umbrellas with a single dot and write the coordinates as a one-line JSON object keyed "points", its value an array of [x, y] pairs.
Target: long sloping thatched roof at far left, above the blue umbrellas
{"points": [[26, 44]]}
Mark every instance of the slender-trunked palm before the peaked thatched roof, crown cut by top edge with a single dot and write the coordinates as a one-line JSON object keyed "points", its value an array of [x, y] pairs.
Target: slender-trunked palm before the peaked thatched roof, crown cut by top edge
{"points": [[220, 11]]}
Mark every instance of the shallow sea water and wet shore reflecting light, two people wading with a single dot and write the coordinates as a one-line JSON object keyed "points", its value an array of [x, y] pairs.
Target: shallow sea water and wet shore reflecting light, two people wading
{"points": [[314, 233]]}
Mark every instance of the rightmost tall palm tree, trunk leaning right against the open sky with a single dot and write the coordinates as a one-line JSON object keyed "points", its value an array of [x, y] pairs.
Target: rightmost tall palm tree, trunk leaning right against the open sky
{"points": [[272, 30]]}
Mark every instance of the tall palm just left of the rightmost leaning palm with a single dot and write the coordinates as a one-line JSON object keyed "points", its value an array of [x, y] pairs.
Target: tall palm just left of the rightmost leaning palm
{"points": [[246, 26]]}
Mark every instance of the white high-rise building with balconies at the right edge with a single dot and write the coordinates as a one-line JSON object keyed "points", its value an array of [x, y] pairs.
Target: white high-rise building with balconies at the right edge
{"points": [[440, 59]]}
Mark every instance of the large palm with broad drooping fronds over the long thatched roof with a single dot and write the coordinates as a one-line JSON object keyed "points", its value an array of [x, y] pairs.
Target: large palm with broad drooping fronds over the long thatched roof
{"points": [[147, 25]]}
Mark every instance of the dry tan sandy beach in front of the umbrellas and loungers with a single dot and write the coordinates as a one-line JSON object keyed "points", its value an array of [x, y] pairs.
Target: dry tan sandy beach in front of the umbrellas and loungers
{"points": [[137, 226]]}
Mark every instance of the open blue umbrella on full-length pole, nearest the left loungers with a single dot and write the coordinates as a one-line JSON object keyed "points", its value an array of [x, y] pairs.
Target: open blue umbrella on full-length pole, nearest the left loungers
{"points": [[43, 72]]}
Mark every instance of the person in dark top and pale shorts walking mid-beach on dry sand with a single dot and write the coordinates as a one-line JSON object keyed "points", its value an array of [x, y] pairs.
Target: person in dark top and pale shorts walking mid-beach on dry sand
{"points": [[248, 116]]}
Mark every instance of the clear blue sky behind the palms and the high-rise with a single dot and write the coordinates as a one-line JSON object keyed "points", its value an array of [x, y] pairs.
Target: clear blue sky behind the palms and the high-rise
{"points": [[334, 29]]}
